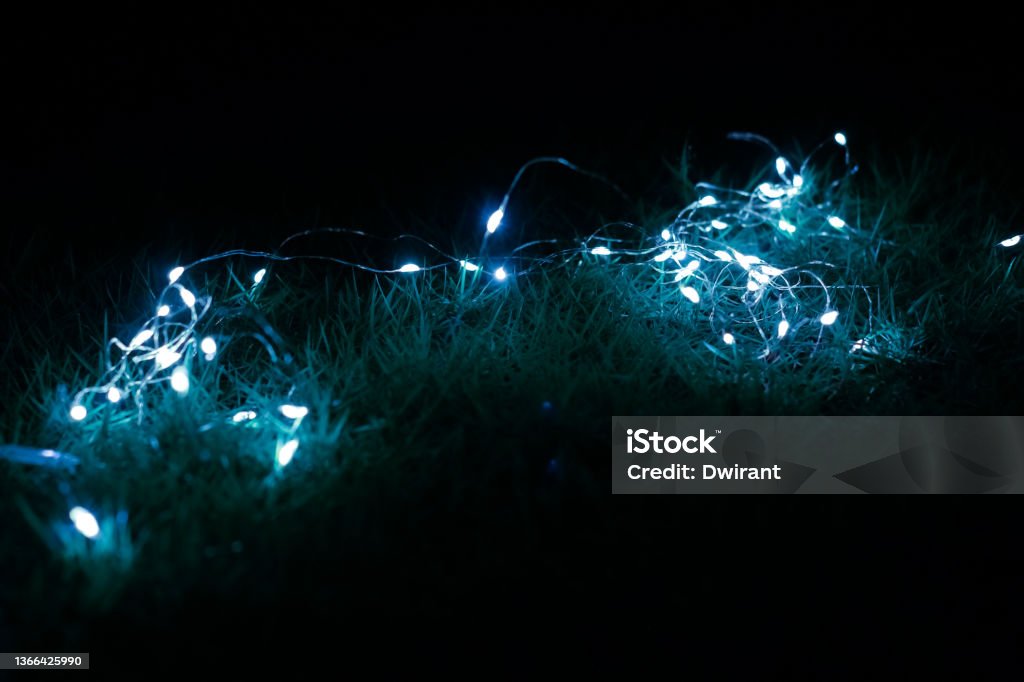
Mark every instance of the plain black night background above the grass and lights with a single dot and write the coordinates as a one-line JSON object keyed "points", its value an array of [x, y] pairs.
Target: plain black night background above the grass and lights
{"points": [[214, 127]]}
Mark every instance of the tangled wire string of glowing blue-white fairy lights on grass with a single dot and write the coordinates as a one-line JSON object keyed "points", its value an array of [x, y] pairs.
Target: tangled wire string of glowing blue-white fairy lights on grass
{"points": [[719, 253]]}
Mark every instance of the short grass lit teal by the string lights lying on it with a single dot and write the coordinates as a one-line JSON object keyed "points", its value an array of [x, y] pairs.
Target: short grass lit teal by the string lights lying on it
{"points": [[458, 433]]}
